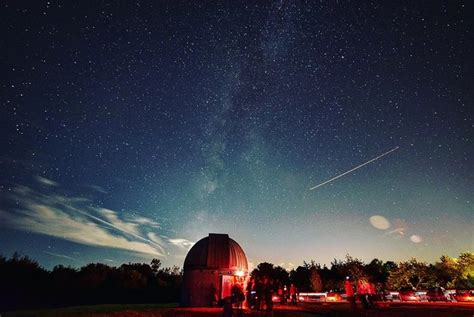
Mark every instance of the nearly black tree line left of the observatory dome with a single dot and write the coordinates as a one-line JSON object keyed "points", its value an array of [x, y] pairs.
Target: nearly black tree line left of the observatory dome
{"points": [[25, 284]]}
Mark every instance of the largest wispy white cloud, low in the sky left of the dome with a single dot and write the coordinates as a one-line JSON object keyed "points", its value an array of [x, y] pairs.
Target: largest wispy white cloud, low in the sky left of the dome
{"points": [[74, 219]]}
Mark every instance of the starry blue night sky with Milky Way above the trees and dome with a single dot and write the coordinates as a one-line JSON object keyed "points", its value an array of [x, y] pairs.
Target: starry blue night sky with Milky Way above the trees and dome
{"points": [[130, 130]]}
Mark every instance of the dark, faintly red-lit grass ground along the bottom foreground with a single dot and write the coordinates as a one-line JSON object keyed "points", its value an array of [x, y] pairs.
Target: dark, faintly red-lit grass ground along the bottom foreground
{"points": [[316, 310]]}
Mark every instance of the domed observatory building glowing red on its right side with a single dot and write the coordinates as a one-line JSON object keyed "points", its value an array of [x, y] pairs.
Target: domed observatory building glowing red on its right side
{"points": [[212, 267]]}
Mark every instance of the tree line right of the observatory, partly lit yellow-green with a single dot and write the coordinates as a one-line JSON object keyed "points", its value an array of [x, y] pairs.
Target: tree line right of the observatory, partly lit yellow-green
{"points": [[448, 272]]}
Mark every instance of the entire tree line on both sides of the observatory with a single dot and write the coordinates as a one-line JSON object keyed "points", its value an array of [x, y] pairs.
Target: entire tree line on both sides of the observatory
{"points": [[25, 284]]}
